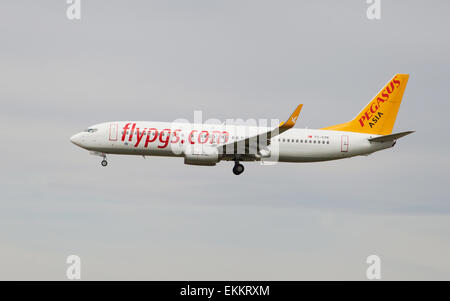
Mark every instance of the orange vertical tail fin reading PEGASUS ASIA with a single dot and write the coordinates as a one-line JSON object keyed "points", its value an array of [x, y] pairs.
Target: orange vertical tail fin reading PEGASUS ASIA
{"points": [[378, 117]]}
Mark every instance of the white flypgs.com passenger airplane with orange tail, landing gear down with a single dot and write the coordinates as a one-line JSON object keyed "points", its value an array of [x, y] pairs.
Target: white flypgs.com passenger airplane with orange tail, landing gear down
{"points": [[208, 144]]}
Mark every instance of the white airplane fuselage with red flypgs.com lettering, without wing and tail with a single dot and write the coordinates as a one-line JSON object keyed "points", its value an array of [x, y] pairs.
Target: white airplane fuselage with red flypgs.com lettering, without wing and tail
{"points": [[172, 139]]}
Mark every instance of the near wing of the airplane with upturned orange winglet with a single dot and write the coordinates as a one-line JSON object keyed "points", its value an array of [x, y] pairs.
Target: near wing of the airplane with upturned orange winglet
{"points": [[250, 148]]}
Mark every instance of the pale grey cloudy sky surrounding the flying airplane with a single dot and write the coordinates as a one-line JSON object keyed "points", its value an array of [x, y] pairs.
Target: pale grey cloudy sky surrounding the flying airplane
{"points": [[158, 219]]}
